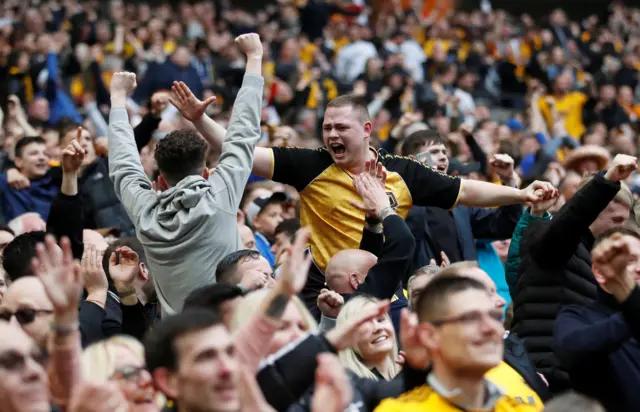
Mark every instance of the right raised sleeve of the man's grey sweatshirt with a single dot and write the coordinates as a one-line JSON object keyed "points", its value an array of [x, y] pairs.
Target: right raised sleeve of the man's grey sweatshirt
{"points": [[236, 160]]}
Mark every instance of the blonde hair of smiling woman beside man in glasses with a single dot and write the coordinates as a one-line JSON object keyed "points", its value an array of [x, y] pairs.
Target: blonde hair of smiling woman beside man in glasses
{"points": [[351, 358]]}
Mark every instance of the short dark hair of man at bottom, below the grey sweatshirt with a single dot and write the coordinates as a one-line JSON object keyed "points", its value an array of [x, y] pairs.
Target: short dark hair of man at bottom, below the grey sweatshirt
{"points": [[159, 345]]}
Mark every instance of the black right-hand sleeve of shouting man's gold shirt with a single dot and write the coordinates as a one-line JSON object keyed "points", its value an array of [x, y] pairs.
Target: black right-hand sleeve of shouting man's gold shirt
{"points": [[427, 186]]}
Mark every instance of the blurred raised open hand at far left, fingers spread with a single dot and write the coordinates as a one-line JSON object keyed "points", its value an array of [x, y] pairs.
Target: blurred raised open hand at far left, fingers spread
{"points": [[60, 274]]}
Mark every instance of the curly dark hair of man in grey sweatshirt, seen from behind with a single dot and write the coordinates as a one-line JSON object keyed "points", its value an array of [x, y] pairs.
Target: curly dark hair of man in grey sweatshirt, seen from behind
{"points": [[179, 154]]}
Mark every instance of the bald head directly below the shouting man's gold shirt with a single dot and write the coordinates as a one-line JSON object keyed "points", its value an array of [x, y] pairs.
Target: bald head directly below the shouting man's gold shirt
{"points": [[348, 269]]}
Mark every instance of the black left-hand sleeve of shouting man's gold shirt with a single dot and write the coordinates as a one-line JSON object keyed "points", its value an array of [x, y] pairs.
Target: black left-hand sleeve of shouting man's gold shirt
{"points": [[298, 166]]}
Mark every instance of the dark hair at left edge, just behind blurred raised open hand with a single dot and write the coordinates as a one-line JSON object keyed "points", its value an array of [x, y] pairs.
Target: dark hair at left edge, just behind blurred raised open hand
{"points": [[19, 253]]}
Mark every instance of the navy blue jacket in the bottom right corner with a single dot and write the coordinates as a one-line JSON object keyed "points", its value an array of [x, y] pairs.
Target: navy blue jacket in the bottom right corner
{"points": [[598, 344]]}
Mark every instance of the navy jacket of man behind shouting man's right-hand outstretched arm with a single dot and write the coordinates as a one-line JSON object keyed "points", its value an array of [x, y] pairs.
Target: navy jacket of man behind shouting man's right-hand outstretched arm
{"points": [[471, 224]]}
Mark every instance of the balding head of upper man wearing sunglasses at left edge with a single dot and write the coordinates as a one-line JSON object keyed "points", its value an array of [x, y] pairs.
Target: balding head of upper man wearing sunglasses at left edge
{"points": [[27, 293]]}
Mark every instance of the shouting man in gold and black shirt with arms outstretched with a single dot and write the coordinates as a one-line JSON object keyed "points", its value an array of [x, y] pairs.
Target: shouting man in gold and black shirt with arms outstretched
{"points": [[324, 178]]}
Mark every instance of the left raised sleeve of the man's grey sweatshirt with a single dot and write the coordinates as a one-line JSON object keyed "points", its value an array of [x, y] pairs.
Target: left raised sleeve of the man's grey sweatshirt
{"points": [[131, 184]]}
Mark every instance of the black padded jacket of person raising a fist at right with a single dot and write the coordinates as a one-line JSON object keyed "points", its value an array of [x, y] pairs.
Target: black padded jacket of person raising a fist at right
{"points": [[554, 271]]}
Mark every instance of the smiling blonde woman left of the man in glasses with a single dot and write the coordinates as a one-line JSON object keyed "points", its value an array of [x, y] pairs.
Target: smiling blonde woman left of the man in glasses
{"points": [[374, 357]]}
